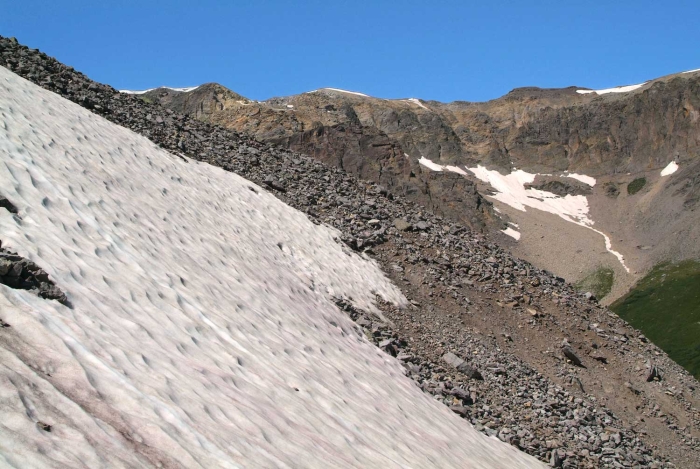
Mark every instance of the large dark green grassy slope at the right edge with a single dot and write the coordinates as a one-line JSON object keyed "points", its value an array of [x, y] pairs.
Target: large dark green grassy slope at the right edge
{"points": [[665, 306]]}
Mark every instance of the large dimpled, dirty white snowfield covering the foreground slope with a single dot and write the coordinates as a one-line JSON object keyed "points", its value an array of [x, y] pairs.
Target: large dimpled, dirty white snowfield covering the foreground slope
{"points": [[202, 331]]}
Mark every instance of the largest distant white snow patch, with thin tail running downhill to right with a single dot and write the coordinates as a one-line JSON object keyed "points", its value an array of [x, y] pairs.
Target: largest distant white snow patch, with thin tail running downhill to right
{"points": [[510, 189]]}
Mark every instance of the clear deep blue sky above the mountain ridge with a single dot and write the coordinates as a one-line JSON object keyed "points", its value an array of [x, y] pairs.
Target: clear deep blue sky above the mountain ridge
{"points": [[432, 49]]}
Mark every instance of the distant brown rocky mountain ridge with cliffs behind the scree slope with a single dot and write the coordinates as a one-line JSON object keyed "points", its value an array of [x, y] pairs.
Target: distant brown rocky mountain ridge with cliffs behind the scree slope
{"points": [[614, 137]]}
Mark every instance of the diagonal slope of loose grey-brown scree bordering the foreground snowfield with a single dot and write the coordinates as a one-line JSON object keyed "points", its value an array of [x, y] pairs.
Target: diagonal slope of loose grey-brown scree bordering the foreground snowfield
{"points": [[563, 378]]}
